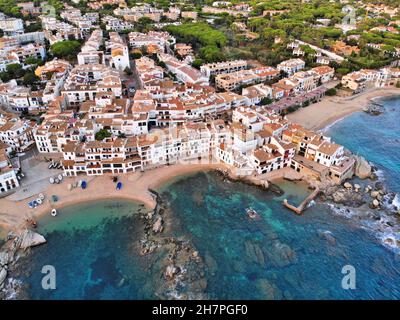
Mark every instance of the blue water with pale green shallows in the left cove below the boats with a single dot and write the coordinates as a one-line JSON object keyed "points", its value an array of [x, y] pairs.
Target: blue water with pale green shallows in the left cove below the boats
{"points": [[93, 249]]}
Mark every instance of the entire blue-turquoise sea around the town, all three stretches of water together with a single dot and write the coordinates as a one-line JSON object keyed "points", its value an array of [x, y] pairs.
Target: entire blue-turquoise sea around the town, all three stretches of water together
{"points": [[93, 247]]}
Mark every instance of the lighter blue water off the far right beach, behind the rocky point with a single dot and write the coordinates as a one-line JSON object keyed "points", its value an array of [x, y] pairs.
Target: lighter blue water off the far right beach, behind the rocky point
{"points": [[377, 138]]}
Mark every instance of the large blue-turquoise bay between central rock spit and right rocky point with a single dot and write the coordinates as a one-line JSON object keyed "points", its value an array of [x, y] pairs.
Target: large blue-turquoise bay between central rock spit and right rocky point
{"points": [[282, 255]]}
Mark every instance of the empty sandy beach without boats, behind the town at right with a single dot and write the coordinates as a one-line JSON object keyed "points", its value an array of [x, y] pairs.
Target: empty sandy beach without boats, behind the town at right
{"points": [[331, 109]]}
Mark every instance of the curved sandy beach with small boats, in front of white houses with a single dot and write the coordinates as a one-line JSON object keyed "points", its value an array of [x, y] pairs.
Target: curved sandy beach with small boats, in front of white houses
{"points": [[14, 214]]}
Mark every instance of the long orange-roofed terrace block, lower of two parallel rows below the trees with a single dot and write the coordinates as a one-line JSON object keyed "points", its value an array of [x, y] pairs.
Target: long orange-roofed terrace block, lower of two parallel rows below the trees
{"points": [[234, 80]]}
